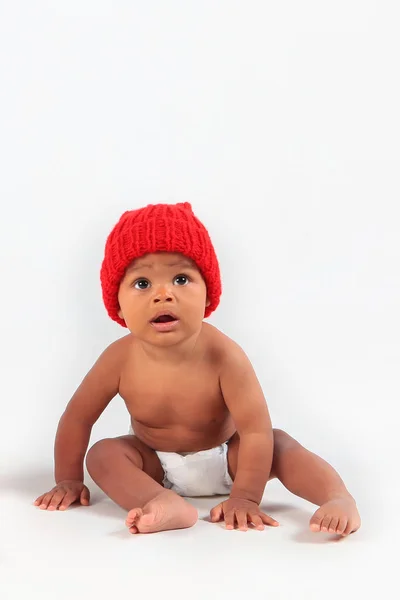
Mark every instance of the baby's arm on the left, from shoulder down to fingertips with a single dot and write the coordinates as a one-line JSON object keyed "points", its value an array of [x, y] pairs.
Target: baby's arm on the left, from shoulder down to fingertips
{"points": [[95, 392]]}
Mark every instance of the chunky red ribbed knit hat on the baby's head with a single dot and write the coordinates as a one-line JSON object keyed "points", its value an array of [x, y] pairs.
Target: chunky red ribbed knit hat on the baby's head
{"points": [[158, 228]]}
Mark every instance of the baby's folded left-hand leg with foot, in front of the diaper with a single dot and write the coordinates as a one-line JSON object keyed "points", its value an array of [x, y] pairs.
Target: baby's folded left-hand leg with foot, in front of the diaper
{"points": [[130, 473]]}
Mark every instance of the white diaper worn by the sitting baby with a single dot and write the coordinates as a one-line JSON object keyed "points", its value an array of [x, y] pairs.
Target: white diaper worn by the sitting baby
{"points": [[203, 473]]}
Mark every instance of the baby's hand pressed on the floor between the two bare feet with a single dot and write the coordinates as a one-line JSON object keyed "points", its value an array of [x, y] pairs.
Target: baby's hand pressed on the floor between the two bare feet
{"points": [[245, 511]]}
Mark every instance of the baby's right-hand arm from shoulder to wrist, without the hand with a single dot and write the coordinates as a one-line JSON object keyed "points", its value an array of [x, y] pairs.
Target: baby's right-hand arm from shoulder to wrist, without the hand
{"points": [[246, 403]]}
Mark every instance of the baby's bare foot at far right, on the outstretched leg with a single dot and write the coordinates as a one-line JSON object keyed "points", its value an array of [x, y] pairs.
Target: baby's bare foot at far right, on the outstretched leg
{"points": [[338, 516]]}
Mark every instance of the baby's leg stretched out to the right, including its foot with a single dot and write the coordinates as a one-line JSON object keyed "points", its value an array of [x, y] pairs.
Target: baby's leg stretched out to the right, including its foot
{"points": [[309, 476]]}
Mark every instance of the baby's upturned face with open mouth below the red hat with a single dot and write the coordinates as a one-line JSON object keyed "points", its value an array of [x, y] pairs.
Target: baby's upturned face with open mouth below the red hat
{"points": [[155, 285]]}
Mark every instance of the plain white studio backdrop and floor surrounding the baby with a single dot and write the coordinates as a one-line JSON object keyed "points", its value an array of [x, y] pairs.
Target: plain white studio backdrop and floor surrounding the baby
{"points": [[279, 122]]}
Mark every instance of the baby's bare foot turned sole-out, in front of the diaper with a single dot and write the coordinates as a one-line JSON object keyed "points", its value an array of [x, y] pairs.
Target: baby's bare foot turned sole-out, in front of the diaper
{"points": [[165, 511]]}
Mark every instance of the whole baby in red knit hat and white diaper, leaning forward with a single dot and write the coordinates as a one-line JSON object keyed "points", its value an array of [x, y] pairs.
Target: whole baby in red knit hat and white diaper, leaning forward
{"points": [[200, 423]]}
